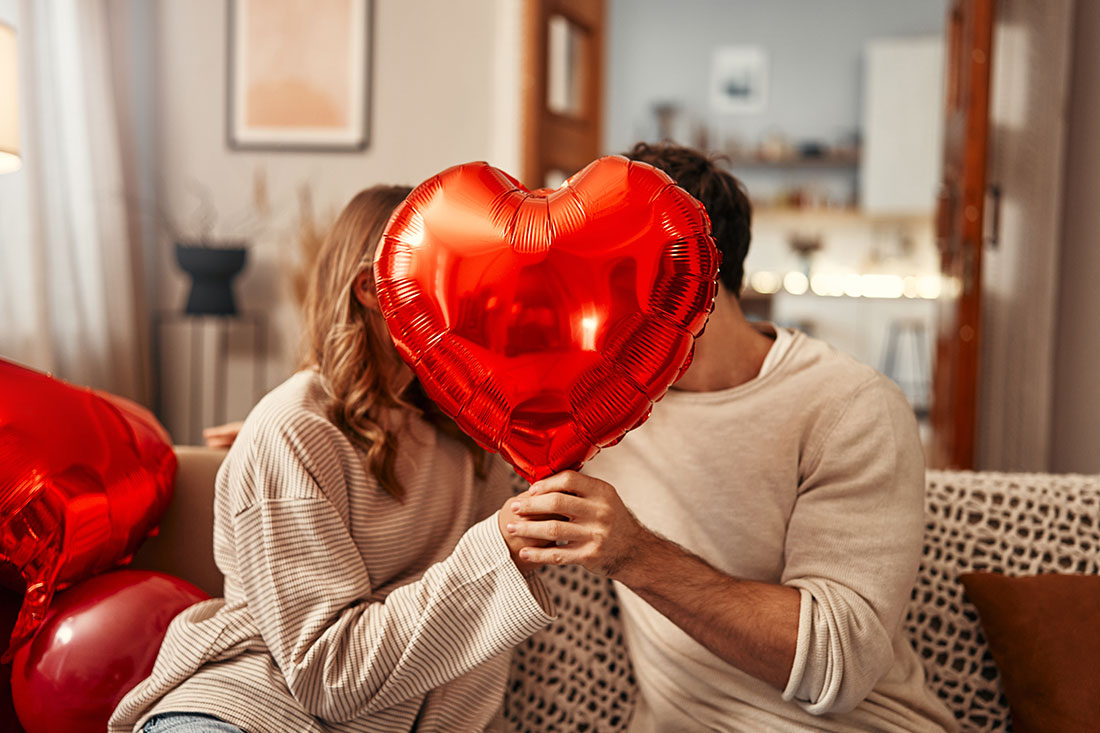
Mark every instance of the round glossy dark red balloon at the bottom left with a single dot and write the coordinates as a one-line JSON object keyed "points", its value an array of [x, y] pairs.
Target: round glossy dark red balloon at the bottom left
{"points": [[100, 640]]}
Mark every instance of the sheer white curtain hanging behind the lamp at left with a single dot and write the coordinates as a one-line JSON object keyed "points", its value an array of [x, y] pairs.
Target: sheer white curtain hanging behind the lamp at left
{"points": [[71, 300]]}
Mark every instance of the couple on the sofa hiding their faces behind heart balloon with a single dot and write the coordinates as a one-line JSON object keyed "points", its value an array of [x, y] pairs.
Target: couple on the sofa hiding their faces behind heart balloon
{"points": [[764, 530]]}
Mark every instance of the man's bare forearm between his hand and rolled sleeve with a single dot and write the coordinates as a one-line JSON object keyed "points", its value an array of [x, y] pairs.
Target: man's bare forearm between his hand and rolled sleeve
{"points": [[752, 626]]}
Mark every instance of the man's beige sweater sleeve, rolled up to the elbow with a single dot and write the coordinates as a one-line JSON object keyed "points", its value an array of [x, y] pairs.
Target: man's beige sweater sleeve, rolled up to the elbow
{"points": [[853, 549]]}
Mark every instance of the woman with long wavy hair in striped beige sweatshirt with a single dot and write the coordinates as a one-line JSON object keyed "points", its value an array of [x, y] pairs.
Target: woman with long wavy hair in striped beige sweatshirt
{"points": [[369, 584]]}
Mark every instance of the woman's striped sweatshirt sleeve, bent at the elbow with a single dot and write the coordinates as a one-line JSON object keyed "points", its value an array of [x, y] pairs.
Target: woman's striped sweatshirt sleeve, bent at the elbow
{"points": [[306, 584]]}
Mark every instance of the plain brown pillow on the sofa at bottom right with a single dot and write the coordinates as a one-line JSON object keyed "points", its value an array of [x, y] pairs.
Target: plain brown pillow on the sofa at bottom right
{"points": [[1044, 633]]}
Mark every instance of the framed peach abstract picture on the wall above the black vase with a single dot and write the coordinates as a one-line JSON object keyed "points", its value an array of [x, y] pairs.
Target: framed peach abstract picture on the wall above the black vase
{"points": [[299, 74]]}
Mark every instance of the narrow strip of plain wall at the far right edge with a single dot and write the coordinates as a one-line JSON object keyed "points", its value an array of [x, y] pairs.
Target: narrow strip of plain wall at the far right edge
{"points": [[1075, 444]]}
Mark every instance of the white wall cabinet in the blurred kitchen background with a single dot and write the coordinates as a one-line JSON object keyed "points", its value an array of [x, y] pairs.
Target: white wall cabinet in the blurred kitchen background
{"points": [[904, 114]]}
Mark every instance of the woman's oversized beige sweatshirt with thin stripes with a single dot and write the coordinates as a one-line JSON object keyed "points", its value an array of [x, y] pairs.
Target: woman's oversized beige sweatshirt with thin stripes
{"points": [[345, 609]]}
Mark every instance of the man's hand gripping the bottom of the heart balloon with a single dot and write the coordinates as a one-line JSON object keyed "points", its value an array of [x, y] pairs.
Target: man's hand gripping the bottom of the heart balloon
{"points": [[592, 529]]}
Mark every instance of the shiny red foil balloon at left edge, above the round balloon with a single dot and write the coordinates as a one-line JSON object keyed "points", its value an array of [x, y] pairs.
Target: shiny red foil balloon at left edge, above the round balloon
{"points": [[84, 479]]}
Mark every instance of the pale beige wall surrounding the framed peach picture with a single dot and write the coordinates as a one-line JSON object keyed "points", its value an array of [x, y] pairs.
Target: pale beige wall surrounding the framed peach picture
{"points": [[444, 91]]}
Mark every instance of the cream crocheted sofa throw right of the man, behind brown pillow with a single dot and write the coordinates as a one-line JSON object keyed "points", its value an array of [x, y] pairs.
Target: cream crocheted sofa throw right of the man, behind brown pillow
{"points": [[1011, 523]]}
